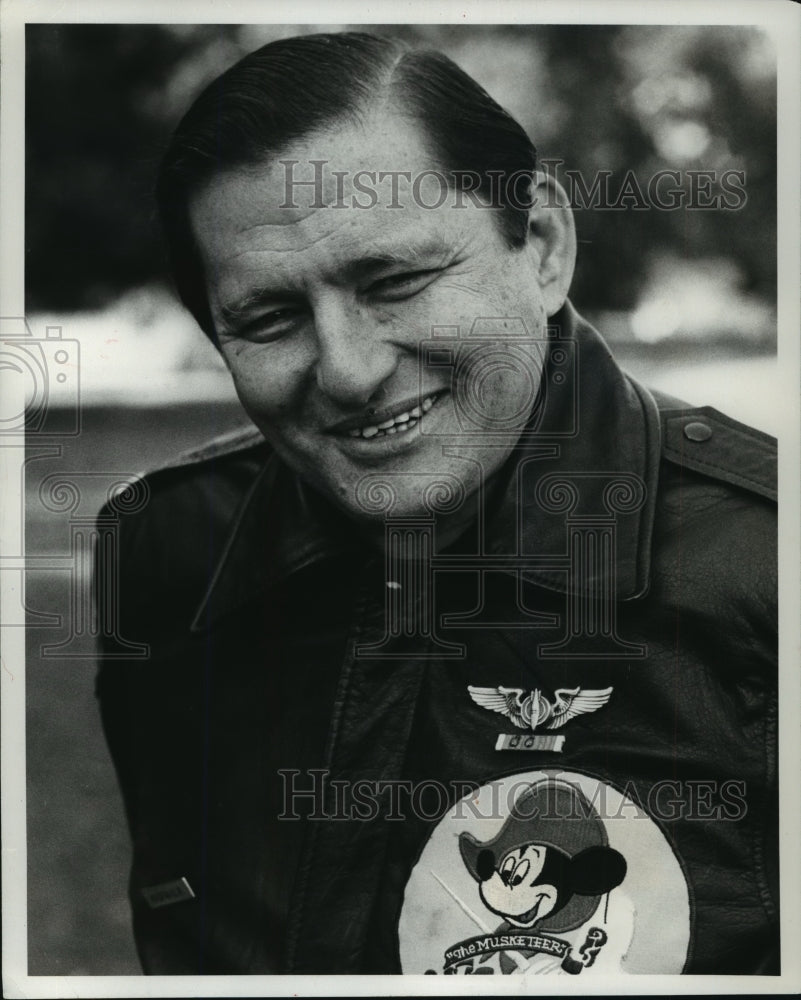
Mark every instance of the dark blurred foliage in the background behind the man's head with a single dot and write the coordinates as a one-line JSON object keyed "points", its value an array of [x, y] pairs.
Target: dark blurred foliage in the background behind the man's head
{"points": [[102, 100]]}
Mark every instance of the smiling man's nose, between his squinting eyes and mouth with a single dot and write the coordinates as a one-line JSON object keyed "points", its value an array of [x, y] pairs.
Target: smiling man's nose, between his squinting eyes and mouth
{"points": [[354, 353]]}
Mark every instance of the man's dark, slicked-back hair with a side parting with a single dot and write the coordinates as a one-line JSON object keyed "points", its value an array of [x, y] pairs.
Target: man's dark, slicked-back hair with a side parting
{"points": [[289, 88]]}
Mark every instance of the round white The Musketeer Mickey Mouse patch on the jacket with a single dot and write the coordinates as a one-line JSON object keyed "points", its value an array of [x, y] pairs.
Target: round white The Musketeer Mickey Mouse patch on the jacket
{"points": [[545, 872]]}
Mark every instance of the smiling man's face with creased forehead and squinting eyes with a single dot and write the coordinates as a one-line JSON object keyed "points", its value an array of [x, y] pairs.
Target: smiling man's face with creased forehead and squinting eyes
{"points": [[322, 314]]}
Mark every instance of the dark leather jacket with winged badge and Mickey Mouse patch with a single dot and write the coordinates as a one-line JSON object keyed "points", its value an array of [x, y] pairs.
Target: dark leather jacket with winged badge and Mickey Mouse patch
{"points": [[631, 547]]}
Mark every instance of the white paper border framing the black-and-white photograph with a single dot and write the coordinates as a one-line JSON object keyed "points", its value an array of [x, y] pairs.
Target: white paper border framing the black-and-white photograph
{"points": [[783, 21]]}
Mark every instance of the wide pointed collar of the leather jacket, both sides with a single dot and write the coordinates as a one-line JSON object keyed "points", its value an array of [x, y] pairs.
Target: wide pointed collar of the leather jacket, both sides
{"points": [[594, 435]]}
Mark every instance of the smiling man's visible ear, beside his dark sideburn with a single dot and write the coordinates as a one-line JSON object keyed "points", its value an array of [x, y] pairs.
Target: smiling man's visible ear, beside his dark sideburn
{"points": [[552, 238]]}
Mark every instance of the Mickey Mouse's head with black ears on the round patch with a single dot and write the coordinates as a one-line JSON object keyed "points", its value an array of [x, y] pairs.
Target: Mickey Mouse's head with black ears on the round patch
{"points": [[533, 880]]}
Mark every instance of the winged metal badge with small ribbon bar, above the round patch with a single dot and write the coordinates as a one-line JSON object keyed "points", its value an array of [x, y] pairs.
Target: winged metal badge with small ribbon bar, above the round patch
{"points": [[533, 711]]}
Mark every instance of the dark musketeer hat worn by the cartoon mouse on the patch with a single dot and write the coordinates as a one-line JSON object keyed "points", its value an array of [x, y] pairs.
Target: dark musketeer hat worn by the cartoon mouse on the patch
{"points": [[555, 814]]}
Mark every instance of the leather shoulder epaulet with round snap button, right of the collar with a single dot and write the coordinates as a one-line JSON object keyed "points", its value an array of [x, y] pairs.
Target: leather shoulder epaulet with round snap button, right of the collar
{"points": [[705, 440]]}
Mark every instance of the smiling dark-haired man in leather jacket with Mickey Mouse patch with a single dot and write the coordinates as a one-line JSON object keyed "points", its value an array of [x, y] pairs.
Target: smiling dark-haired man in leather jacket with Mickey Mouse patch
{"points": [[464, 661]]}
